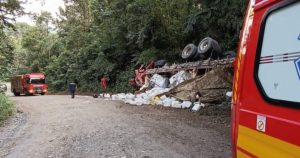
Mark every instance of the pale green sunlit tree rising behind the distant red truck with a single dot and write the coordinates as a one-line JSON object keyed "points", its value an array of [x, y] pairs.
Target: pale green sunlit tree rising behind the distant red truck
{"points": [[35, 45]]}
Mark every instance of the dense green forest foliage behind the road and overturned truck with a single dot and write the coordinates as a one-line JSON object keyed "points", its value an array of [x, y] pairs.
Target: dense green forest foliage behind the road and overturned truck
{"points": [[93, 38]]}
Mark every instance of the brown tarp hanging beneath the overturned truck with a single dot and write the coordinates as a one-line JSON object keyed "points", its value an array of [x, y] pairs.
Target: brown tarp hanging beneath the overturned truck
{"points": [[208, 88]]}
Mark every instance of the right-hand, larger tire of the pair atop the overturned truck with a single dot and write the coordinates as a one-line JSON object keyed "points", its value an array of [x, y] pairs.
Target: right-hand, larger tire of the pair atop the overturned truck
{"points": [[209, 48]]}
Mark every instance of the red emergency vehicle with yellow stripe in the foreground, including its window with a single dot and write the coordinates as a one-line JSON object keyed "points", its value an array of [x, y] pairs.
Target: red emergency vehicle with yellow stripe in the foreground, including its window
{"points": [[266, 90]]}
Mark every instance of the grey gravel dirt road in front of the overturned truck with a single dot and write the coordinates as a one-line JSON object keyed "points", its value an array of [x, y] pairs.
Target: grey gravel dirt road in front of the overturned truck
{"points": [[57, 126]]}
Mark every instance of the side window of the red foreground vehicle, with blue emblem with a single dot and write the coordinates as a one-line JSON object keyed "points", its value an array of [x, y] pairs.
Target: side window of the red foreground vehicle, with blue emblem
{"points": [[278, 58]]}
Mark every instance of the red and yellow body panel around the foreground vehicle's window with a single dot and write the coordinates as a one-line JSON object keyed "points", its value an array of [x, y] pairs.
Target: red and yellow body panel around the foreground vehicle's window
{"points": [[263, 129]]}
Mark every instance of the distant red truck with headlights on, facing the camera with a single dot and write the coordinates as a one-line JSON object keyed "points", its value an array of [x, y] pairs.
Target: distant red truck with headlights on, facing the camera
{"points": [[29, 84]]}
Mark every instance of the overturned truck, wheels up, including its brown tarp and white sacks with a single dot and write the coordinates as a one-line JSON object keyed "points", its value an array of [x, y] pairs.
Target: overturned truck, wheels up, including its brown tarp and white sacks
{"points": [[205, 77]]}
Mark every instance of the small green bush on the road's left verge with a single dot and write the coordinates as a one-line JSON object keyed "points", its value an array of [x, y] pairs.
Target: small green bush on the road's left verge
{"points": [[6, 107]]}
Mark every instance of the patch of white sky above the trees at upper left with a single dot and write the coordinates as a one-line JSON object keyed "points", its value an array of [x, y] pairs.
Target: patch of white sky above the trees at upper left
{"points": [[36, 6]]}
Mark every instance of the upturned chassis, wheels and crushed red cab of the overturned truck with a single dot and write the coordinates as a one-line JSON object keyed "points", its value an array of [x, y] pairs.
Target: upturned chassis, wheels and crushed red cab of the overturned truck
{"points": [[199, 60]]}
